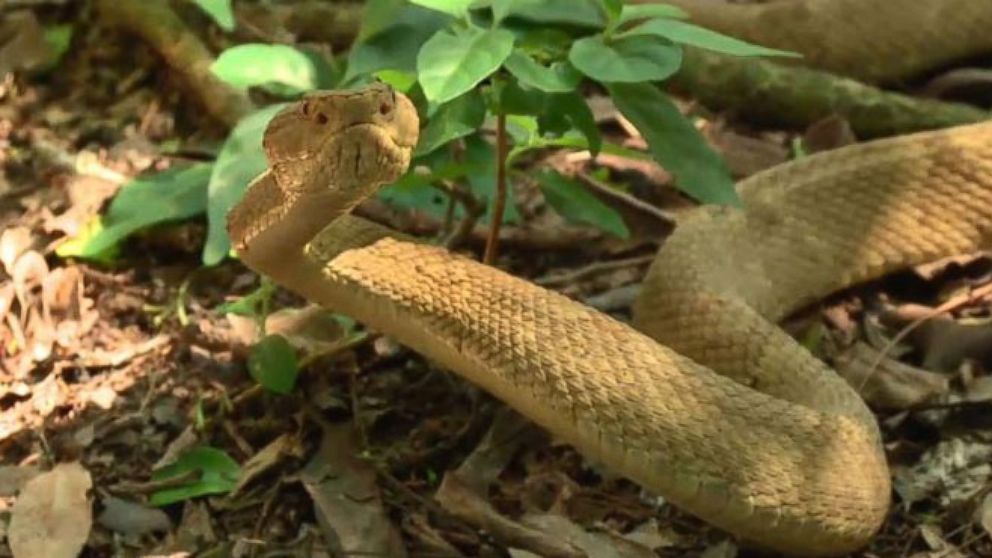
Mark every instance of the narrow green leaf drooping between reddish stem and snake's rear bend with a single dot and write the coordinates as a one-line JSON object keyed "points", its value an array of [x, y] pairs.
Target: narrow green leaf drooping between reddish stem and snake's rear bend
{"points": [[573, 202]]}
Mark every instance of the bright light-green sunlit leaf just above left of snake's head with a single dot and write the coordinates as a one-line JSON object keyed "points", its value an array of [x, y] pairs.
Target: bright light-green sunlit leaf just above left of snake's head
{"points": [[282, 67]]}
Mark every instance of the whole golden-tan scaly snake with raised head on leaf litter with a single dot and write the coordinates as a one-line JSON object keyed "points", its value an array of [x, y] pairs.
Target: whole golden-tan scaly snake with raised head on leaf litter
{"points": [[705, 400]]}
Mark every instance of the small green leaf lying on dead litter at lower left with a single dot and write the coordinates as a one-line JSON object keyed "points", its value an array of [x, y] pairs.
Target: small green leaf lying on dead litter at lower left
{"points": [[218, 474]]}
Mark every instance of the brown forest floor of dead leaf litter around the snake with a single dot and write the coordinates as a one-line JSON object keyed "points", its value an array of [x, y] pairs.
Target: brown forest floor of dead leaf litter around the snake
{"points": [[123, 365]]}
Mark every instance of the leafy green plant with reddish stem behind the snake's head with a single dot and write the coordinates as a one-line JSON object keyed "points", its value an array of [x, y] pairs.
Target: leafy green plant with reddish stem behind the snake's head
{"points": [[465, 63]]}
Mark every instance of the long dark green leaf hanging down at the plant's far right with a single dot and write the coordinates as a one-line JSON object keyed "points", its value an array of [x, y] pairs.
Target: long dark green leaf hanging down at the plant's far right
{"points": [[675, 143]]}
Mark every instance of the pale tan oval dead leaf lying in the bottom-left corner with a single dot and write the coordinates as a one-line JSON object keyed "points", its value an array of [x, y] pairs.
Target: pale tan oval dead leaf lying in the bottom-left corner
{"points": [[52, 515]]}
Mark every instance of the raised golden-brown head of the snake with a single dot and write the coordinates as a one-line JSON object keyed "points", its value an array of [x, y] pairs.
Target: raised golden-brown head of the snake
{"points": [[343, 140]]}
